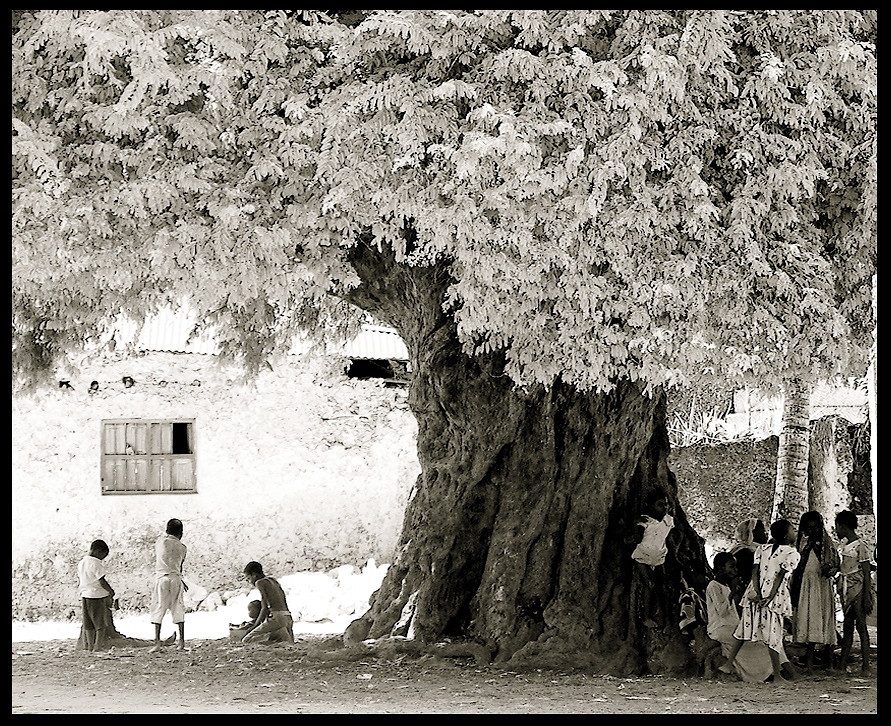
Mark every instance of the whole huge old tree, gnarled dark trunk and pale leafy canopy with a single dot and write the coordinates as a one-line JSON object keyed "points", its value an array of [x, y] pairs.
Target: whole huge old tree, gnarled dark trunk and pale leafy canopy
{"points": [[564, 213]]}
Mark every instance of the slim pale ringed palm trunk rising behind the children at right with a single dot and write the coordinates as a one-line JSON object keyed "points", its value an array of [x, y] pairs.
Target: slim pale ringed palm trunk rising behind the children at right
{"points": [[791, 497]]}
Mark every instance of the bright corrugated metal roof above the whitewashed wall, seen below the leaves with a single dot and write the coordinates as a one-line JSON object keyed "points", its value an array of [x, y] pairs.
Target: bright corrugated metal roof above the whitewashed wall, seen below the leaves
{"points": [[168, 331]]}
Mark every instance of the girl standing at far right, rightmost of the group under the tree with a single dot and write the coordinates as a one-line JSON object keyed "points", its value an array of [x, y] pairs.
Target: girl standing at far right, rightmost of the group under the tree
{"points": [[854, 588]]}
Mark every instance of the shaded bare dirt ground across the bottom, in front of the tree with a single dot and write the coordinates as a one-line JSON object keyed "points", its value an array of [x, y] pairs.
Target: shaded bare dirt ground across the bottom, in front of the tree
{"points": [[212, 676]]}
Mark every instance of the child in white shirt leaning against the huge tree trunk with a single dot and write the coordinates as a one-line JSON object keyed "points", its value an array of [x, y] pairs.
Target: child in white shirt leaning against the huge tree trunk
{"points": [[651, 533]]}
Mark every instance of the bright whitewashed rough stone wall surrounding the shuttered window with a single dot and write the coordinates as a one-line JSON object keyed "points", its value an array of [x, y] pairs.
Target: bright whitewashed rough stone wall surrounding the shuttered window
{"points": [[303, 470]]}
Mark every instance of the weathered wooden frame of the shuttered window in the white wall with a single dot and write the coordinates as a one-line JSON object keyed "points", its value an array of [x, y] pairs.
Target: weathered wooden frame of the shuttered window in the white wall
{"points": [[152, 460]]}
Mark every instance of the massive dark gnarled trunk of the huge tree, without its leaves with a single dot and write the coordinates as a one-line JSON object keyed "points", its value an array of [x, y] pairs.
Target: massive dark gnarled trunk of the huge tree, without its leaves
{"points": [[516, 533]]}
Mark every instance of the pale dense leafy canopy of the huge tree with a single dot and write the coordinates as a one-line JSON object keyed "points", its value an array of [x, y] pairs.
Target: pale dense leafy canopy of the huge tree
{"points": [[654, 196]]}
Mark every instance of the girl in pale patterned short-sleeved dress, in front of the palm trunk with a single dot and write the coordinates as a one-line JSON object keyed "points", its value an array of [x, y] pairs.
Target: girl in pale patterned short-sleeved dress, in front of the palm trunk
{"points": [[766, 600]]}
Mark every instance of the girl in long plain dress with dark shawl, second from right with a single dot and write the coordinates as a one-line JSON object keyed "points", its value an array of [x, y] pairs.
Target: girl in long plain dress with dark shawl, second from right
{"points": [[812, 589]]}
